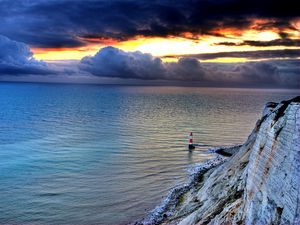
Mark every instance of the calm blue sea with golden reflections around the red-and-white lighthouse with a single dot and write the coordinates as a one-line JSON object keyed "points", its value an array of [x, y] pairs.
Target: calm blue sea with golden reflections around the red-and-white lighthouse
{"points": [[86, 154]]}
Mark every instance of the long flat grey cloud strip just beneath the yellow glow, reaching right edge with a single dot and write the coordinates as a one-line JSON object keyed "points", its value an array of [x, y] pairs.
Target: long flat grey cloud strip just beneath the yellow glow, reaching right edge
{"points": [[259, 54]]}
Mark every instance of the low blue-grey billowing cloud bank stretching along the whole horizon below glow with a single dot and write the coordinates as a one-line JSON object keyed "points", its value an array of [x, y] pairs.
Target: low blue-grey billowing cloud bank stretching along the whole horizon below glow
{"points": [[111, 64]]}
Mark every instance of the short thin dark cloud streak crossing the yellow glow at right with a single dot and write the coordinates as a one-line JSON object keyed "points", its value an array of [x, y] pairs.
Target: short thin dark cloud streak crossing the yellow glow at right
{"points": [[277, 42]]}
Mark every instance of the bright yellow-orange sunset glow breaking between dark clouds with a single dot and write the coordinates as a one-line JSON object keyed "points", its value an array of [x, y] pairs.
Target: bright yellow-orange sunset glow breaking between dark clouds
{"points": [[172, 46]]}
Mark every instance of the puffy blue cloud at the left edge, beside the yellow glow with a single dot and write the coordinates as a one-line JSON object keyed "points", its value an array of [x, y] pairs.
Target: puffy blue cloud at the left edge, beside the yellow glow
{"points": [[17, 59]]}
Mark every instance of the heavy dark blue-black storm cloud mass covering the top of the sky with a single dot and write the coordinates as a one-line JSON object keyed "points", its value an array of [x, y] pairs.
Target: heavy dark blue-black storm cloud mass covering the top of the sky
{"points": [[58, 23]]}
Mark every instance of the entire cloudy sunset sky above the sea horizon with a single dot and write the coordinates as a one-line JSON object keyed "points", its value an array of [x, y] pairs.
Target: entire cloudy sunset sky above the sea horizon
{"points": [[234, 43]]}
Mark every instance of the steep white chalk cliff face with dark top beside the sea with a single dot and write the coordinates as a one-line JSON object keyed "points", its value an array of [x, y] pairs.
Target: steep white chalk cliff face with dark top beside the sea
{"points": [[259, 184]]}
